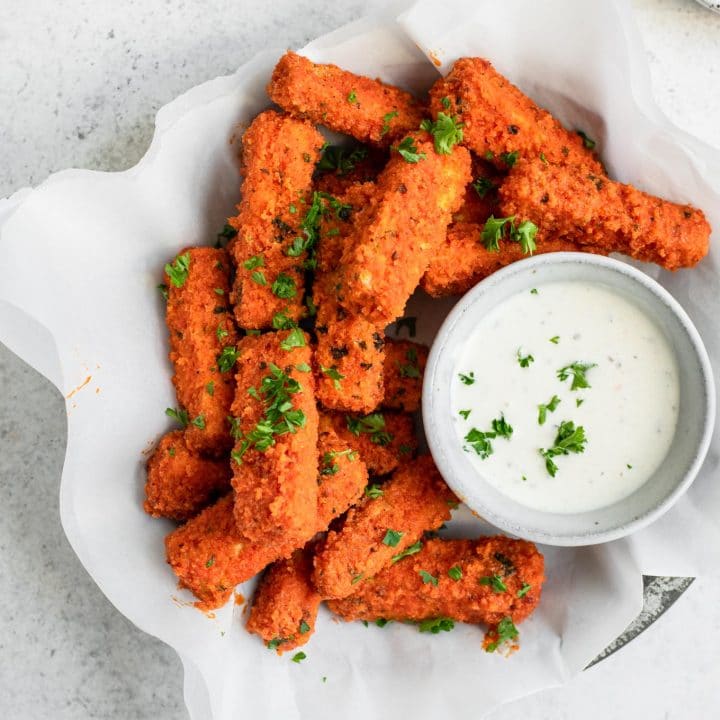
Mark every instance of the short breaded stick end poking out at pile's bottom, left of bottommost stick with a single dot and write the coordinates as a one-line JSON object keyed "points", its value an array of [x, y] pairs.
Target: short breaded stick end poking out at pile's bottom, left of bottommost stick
{"points": [[285, 604]]}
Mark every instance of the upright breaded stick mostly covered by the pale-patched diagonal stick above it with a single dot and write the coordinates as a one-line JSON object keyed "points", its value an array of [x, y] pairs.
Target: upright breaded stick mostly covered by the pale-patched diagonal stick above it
{"points": [[349, 354]]}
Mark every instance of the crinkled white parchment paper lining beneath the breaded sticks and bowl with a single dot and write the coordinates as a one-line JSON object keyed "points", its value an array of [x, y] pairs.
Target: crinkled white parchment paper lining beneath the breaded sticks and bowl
{"points": [[82, 254]]}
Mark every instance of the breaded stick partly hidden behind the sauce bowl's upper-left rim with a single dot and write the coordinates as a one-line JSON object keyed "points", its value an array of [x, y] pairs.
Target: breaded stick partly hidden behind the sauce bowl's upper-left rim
{"points": [[462, 261]]}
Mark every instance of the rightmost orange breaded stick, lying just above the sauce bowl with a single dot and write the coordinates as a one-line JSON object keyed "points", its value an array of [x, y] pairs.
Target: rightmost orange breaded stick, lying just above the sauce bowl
{"points": [[573, 205]]}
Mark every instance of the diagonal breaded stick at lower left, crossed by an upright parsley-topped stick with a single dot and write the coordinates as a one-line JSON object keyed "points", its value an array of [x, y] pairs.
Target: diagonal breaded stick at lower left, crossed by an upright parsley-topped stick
{"points": [[210, 554]]}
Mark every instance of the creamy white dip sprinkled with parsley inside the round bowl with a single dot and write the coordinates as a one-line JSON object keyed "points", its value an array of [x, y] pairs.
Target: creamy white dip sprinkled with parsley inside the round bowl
{"points": [[565, 397]]}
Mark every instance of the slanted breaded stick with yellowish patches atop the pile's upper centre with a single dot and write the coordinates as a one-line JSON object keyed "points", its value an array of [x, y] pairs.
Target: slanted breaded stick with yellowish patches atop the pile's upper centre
{"points": [[391, 249]]}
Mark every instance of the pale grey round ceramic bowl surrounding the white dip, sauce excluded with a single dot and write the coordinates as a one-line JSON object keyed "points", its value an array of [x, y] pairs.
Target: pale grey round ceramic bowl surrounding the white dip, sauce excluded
{"points": [[695, 420]]}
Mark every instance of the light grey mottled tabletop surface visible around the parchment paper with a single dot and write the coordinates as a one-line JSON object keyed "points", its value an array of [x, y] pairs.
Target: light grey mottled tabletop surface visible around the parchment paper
{"points": [[80, 82]]}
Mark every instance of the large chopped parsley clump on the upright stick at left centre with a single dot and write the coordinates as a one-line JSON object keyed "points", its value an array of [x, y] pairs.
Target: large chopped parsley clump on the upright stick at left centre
{"points": [[279, 417]]}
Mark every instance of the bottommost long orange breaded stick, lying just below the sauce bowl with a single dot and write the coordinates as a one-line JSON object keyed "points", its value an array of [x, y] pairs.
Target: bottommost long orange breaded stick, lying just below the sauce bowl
{"points": [[472, 581]]}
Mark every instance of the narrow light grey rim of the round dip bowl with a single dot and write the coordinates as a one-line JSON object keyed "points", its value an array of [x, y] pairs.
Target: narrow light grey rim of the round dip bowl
{"points": [[695, 346]]}
